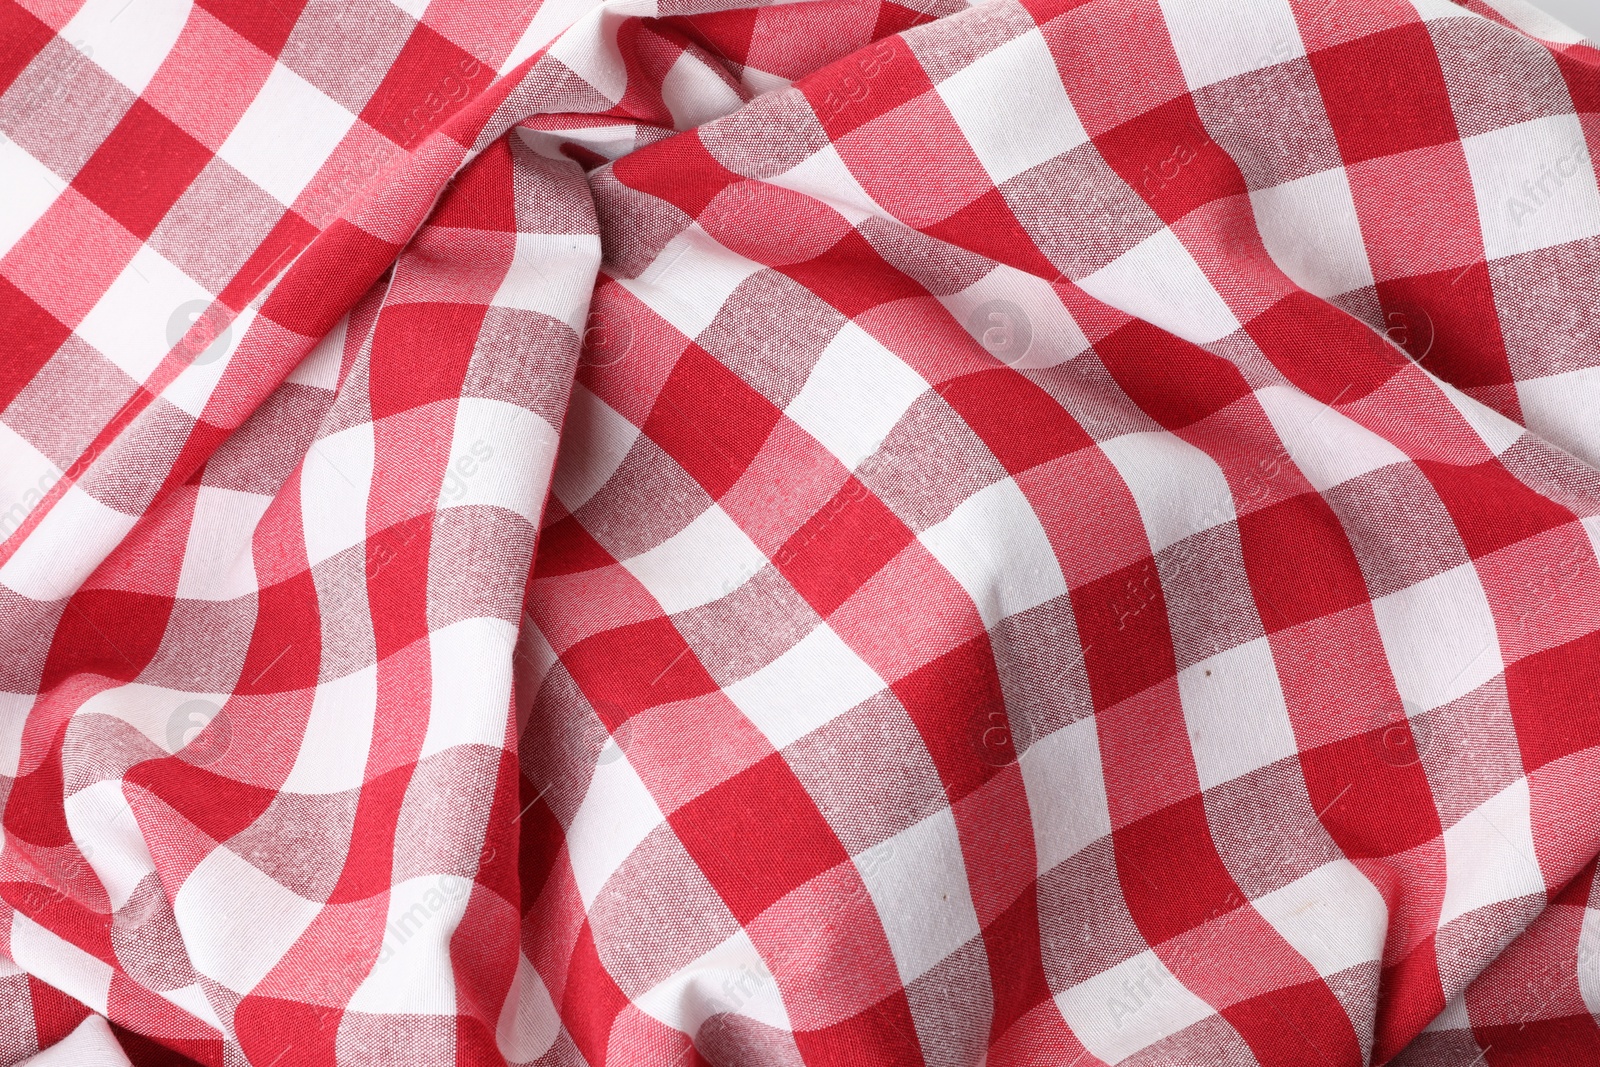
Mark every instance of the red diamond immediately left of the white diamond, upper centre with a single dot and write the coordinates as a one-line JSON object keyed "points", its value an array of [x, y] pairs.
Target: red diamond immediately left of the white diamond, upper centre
{"points": [[711, 422]]}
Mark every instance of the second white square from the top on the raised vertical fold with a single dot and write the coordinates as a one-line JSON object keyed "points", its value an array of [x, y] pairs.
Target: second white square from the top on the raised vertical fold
{"points": [[502, 455]]}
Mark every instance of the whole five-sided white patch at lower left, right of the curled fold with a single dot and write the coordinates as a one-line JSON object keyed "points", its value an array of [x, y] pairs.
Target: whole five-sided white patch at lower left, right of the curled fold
{"points": [[238, 922]]}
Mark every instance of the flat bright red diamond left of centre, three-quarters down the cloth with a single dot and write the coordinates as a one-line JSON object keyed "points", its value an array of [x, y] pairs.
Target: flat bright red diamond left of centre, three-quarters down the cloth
{"points": [[758, 837]]}
